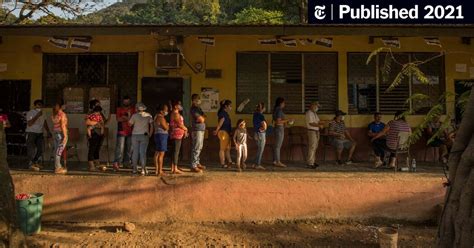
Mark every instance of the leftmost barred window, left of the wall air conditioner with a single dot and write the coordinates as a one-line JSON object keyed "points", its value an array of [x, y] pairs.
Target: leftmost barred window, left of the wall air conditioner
{"points": [[88, 70]]}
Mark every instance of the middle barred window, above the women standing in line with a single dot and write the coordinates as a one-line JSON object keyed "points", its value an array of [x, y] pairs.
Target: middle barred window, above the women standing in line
{"points": [[300, 78]]}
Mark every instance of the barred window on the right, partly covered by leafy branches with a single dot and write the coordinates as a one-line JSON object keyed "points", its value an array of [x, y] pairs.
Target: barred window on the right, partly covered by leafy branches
{"points": [[367, 90]]}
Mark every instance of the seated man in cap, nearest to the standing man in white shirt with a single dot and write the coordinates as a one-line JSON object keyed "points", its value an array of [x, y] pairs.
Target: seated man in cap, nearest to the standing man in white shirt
{"points": [[341, 138]]}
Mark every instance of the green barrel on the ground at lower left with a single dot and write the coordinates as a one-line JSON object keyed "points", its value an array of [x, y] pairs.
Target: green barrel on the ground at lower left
{"points": [[29, 213]]}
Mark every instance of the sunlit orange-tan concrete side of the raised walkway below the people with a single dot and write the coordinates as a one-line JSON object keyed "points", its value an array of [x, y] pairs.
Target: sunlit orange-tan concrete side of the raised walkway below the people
{"points": [[235, 197]]}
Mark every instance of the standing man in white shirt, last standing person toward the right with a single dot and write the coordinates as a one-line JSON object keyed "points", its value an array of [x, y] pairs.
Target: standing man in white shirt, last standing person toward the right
{"points": [[312, 125]]}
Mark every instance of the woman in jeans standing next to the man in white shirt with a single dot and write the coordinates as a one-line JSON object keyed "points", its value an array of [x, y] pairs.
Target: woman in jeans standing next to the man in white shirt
{"points": [[280, 121]]}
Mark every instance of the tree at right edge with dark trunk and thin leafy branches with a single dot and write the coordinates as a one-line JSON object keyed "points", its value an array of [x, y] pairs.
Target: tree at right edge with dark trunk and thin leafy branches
{"points": [[456, 228]]}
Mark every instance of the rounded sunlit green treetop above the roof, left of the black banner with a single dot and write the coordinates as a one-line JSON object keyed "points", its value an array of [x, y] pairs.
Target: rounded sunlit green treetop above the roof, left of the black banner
{"points": [[258, 16]]}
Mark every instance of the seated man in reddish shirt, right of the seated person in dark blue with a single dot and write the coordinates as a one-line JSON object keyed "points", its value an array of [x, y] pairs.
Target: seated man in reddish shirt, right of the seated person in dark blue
{"points": [[391, 131]]}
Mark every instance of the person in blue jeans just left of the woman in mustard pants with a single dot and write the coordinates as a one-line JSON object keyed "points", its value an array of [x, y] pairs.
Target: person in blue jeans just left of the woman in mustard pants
{"points": [[198, 119]]}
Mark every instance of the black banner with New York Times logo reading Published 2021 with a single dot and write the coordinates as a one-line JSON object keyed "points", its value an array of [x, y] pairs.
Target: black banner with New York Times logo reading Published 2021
{"points": [[390, 12]]}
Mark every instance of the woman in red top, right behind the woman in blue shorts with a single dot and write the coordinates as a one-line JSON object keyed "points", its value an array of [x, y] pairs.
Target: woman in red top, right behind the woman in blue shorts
{"points": [[178, 132]]}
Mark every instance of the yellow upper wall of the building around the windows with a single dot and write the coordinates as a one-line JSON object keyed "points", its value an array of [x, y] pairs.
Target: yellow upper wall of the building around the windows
{"points": [[23, 63]]}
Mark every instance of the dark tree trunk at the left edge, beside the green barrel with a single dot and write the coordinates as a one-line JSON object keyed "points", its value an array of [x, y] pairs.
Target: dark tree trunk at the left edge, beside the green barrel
{"points": [[10, 236]]}
